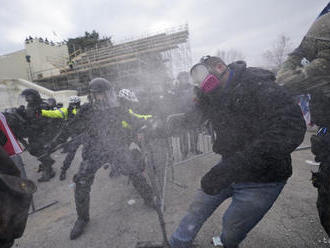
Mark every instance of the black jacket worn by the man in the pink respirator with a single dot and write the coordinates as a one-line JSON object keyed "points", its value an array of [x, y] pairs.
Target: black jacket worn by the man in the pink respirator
{"points": [[257, 126]]}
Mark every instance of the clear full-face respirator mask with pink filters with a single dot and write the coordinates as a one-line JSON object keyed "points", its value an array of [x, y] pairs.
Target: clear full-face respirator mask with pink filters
{"points": [[201, 76]]}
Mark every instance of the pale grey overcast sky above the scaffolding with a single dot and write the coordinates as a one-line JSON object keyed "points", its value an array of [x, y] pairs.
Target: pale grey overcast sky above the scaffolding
{"points": [[250, 26]]}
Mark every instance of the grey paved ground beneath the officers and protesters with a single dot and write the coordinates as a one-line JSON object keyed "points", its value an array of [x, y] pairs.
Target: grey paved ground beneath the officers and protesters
{"points": [[292, 221]]}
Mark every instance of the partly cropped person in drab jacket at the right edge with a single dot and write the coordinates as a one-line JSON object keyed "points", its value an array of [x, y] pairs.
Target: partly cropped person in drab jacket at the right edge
{"points": [[307, 71]]}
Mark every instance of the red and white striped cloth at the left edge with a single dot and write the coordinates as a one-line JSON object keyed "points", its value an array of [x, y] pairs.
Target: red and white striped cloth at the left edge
{"points": [[11, 145]]}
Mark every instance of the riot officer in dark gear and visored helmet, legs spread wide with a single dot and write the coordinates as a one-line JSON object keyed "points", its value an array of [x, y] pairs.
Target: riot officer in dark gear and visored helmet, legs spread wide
{"points": [[104, 142]]}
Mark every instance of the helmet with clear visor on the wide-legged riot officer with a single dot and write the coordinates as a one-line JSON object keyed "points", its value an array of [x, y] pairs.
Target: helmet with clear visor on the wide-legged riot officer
{"points": [[102, 94]]}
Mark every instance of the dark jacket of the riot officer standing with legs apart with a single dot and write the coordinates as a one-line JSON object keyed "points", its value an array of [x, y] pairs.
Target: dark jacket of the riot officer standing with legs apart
{"points": [[103, 132]]}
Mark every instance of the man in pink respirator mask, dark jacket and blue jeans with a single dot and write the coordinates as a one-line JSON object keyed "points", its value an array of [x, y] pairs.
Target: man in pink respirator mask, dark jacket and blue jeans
{"points": [[257, 126]]}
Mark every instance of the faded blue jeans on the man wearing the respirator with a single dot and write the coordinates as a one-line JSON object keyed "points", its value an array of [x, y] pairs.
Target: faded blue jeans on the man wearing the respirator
{"points": [[250, 202]]}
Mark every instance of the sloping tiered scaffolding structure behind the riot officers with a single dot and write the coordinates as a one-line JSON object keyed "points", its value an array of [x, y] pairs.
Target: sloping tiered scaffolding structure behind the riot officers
{"points": [[145, 62]]}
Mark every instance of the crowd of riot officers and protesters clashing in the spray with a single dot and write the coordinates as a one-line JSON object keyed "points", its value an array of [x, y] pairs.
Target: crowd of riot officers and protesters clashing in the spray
{"points": [[254, 115]]}
